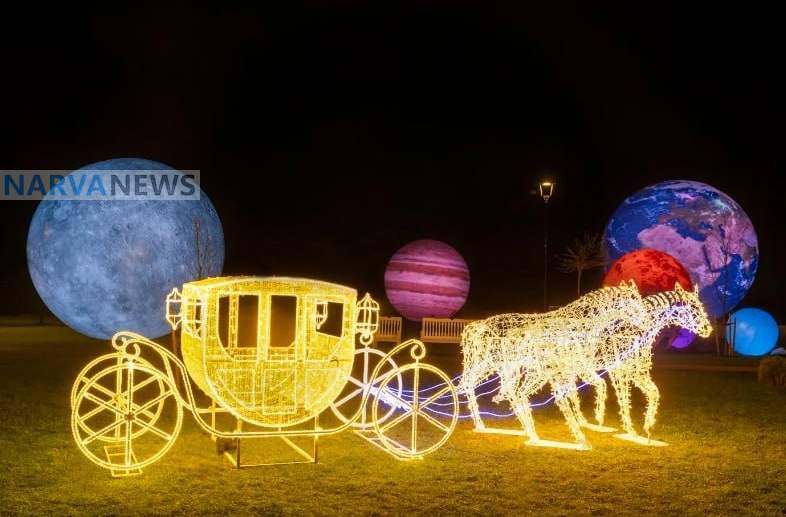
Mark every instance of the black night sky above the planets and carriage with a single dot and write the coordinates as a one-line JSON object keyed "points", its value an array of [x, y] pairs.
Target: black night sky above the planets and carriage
{"points": [[416, 122]]}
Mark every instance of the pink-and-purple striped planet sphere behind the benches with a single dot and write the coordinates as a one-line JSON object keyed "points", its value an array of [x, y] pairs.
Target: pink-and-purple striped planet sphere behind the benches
{"points": [[427, 278]]}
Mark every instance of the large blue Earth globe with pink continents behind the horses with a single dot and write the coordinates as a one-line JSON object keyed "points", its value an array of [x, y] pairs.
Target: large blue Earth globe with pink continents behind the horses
{"points": [[700, 226]]}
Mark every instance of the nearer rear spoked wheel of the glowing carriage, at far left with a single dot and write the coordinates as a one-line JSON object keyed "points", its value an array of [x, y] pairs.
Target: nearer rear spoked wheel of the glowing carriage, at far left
{"points": [[117, 419]]}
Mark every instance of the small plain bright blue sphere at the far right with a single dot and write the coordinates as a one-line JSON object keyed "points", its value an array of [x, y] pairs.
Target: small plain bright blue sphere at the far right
{"points": [[752, 331]]}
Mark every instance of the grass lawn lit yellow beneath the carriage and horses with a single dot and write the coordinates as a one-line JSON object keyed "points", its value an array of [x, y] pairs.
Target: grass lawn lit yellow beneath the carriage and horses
{"points": [[726, 455]]}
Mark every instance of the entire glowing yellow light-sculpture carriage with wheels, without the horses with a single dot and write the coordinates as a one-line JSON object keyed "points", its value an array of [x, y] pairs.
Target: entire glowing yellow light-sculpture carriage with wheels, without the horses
{"points": [[270, 375]]}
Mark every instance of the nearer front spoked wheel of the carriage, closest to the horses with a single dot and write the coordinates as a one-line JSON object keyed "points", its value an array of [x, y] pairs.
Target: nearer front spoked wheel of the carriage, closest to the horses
{"points": [[428, 412]]}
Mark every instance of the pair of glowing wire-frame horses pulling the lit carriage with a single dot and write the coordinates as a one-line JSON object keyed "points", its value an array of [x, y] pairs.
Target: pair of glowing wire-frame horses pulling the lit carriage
{"points": [[608, 330]]}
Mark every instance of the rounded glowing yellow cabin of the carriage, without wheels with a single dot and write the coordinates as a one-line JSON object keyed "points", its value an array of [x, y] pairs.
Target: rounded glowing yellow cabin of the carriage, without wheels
{"points": [[275, 351]]}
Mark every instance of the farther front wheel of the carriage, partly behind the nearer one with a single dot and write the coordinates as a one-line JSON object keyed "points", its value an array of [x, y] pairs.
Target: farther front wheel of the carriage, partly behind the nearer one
{"points": [[347, 406]]}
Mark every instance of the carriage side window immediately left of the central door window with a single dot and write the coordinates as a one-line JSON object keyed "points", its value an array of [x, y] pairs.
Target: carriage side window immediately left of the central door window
{"points": [[238, 317]]}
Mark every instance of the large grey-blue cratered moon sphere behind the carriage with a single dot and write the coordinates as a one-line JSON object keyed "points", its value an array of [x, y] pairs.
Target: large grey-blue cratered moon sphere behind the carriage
{"points": [[102, 266]]}
